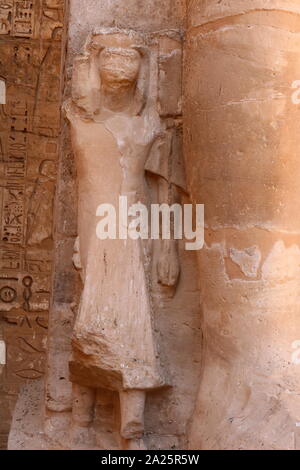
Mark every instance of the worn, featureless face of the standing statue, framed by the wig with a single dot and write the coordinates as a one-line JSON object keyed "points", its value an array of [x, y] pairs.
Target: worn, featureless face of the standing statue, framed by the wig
{"points": [[119, 67]]}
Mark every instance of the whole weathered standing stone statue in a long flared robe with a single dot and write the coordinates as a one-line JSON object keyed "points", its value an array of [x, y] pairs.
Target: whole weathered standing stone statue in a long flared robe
{"points": [[117, 136]]}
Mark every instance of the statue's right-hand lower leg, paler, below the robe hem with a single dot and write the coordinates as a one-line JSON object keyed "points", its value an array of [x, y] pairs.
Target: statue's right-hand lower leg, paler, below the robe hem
{"points": [[132, 404]]}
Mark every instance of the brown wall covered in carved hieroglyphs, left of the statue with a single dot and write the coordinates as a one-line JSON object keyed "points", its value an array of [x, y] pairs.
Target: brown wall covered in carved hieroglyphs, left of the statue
{"points": [[29, 126]]}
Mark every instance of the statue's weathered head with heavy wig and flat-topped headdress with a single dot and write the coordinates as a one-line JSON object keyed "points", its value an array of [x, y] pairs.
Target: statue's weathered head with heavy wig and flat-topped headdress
{"points": [[115, 63]]}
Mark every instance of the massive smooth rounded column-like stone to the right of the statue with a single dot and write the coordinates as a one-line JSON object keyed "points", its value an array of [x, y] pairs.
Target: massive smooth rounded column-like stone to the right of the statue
{"points": [[242, 145]]}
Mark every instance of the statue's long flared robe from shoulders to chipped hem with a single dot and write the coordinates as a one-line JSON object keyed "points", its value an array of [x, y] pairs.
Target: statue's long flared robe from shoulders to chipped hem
{"points": [[113, 341]]}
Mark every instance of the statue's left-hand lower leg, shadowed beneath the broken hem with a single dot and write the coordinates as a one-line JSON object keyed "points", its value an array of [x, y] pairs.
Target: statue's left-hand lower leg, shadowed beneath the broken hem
{"points": [[82, 414]]}
